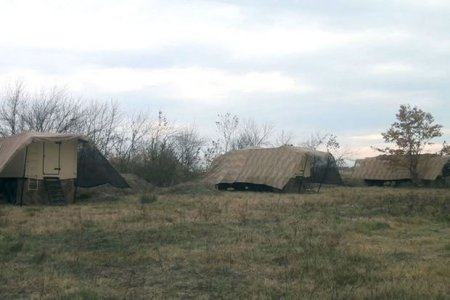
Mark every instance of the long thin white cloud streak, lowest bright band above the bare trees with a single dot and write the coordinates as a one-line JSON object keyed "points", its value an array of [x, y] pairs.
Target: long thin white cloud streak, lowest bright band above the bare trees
{"points": [[191, 83]]}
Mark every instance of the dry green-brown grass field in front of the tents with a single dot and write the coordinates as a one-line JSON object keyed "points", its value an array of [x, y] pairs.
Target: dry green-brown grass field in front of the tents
{"points": [[342, 243]]}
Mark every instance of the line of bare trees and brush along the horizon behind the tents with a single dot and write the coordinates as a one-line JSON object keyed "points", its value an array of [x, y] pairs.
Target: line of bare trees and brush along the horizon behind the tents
{"points": [[154, 149]]}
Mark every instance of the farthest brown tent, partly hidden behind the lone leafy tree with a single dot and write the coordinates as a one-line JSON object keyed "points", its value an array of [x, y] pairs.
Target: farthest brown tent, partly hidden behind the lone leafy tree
{"points": [[381, 169]]}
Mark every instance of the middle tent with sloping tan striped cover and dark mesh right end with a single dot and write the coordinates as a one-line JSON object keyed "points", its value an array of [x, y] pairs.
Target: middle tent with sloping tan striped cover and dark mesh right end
{"points": [[283, 169]]}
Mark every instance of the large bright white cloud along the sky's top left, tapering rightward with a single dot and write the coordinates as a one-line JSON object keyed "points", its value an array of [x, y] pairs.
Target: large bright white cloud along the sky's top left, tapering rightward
{"points": [[137, 25]]}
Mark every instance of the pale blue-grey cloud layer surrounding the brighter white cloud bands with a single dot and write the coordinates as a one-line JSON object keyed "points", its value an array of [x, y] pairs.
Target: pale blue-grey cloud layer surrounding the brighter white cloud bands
{"points": [[343, 75]]}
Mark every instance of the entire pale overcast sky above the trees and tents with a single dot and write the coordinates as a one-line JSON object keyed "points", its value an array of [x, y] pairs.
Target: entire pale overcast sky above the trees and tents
{"points": [[305, 66]]}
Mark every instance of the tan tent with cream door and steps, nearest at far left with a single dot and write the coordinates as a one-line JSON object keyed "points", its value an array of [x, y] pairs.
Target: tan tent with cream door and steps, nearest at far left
{"points": [[37, 167]]}
